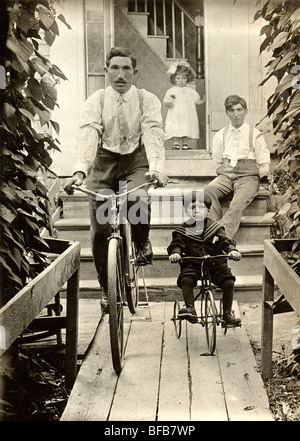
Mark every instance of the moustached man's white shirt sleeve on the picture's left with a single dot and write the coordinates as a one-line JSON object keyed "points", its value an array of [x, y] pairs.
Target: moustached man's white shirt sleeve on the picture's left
{"points": [[90, 130]]}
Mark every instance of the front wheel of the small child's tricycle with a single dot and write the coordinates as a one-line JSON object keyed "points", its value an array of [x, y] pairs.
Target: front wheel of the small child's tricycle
{"points": [[210, 320]]}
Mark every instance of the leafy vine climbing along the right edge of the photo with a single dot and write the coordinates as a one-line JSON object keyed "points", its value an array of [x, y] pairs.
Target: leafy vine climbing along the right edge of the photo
{"points": [[282, 39]]}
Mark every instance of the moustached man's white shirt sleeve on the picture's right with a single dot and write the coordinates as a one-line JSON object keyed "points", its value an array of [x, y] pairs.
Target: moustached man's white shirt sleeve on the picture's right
{"points": [[152, 132]]}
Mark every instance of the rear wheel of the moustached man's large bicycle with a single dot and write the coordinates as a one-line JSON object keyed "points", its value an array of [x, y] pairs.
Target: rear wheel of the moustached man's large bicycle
{"points": [[131, 276]]}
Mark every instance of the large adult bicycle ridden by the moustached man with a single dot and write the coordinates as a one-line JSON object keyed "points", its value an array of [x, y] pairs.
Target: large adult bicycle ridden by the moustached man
{"points": [[122, 273]]}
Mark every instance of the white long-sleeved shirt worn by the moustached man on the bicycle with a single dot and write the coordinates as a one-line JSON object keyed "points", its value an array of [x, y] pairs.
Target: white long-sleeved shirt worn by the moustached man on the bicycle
{"points": [[101, 125]]}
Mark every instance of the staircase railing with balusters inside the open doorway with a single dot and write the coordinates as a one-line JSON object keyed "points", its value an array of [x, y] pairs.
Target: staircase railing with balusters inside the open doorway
{"points": [[170, 19]]}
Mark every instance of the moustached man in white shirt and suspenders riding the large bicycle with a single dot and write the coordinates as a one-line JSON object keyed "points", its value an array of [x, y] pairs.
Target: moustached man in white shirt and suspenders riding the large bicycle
{"points": [[120, 141]]}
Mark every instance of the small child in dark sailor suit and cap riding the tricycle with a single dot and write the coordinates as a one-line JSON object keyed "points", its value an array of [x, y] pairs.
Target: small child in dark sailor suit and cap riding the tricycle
{"points": [[209, 239]]}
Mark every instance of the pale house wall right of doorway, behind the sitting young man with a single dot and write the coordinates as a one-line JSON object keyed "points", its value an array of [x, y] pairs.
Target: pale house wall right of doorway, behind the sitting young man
{"points": [[232, 61]]}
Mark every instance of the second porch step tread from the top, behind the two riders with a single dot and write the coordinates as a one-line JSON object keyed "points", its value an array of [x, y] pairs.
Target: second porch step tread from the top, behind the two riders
{"points": [[84, 223]]}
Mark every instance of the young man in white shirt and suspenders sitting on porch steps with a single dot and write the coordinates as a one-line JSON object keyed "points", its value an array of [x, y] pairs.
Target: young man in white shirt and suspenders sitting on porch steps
{"points": [[243, 165]]}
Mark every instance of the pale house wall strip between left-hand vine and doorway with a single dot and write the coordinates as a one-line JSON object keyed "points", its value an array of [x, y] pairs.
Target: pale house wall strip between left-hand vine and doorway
{"points": [[68, 53]]}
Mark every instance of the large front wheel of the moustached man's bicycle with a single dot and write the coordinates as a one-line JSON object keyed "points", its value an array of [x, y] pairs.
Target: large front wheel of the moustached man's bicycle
{"points": [[115, 288]]}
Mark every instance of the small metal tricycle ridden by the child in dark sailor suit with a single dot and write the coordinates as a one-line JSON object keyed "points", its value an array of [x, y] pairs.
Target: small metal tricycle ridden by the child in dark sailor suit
{"points": [[210, 315]]}
